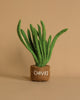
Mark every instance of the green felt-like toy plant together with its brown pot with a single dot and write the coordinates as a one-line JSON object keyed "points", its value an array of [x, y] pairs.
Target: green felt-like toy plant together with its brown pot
{"points": [[40, 48]]}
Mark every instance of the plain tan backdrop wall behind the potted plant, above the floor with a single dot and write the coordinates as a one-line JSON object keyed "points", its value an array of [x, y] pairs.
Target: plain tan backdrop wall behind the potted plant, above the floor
{"points": [[15, 60]]}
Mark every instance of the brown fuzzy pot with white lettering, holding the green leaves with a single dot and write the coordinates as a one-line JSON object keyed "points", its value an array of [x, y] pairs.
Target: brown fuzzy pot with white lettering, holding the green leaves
{"points": [[40, 73]]}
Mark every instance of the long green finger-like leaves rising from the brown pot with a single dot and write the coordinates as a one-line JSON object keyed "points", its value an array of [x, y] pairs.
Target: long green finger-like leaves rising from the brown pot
{"points": [[35, 41]]}
